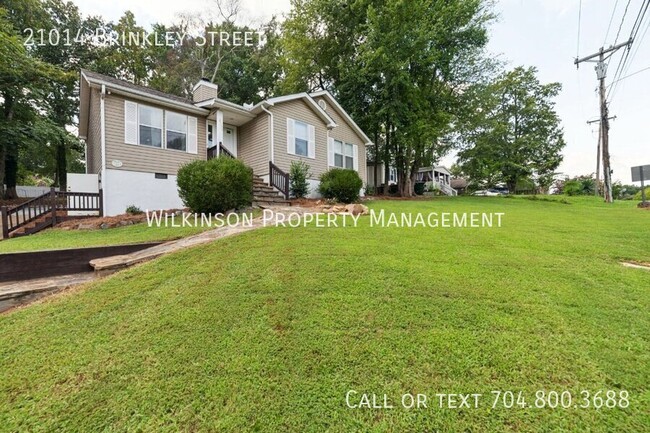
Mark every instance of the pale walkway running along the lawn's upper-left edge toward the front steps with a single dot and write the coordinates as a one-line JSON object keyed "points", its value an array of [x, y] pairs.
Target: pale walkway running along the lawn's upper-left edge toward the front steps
{"points": [[17, 293]]}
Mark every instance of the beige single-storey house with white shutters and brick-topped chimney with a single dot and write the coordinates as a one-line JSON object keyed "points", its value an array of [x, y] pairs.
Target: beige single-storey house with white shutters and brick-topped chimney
{"points": [[137, 138]]}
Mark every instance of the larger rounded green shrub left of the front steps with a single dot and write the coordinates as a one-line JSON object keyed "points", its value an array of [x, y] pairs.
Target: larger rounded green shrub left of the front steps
{"points": [[215, 186]]}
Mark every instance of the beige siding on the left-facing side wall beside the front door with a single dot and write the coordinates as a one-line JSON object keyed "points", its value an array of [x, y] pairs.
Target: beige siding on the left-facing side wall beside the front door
{"points": [[253, 144]]}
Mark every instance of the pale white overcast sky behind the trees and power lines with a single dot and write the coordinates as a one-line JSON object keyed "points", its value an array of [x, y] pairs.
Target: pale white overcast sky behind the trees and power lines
{"points": [[540, 33]]}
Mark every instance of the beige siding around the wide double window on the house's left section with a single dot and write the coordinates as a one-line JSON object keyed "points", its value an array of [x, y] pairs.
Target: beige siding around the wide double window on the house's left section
{"points": [[144, 158]]}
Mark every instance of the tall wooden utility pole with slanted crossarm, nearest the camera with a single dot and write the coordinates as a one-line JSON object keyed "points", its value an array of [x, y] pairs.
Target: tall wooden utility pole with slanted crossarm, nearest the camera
{"points": [[601, 73]]}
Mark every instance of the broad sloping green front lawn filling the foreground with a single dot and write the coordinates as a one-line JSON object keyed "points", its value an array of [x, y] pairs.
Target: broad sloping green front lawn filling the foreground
{"points": [[268, 330]]}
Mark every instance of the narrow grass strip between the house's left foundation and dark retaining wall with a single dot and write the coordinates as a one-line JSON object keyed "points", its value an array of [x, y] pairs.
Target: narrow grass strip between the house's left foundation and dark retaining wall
{"points": [[137, 233]]}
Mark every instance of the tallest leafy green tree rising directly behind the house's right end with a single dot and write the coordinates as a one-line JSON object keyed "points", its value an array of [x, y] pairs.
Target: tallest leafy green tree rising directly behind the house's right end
{"points": [[394, 64]]}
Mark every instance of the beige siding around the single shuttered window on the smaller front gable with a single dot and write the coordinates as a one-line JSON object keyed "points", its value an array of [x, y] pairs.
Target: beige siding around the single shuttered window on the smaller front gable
{"points": [[298, 110]]}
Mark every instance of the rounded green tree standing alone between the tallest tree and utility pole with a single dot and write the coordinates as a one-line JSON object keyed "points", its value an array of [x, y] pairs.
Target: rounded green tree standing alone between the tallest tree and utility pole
{"points": [[514, 132]]}
